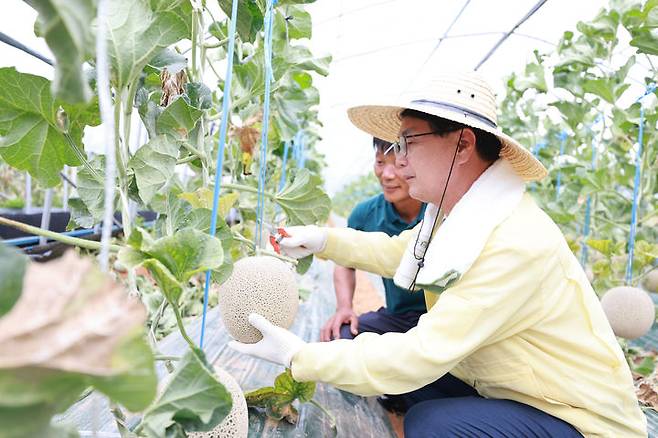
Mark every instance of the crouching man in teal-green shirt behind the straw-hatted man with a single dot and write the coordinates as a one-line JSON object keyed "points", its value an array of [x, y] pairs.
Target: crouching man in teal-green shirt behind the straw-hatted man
{"points": [[391, 212]]}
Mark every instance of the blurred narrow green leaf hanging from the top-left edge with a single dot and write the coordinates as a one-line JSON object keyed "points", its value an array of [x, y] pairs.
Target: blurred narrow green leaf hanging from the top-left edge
{"points": [[65, 25]]}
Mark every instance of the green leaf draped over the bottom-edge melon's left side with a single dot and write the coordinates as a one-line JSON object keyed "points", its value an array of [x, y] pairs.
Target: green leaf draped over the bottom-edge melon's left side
{"points": [[193, 398]]}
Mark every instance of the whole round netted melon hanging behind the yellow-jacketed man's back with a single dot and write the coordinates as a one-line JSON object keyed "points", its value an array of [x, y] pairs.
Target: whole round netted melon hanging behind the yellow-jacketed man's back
{"points": [[630, 311]]}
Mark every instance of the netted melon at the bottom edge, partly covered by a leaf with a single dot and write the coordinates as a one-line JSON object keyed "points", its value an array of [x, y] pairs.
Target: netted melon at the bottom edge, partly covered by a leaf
{"points": [[236, 423]]}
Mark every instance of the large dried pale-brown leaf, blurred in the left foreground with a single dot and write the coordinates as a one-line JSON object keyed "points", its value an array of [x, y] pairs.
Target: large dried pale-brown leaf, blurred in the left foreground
{"points": [[70, 317]]}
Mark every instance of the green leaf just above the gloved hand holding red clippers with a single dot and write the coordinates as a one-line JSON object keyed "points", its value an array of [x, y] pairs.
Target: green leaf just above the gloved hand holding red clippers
{"points": [[303, 200]]}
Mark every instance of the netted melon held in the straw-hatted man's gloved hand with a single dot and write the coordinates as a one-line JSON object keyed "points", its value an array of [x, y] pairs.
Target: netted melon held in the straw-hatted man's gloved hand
{"points": [[264, 285]]}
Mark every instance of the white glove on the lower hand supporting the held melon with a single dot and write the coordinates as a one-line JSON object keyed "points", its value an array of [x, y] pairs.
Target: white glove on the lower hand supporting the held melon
{"points": [[278, 344]]}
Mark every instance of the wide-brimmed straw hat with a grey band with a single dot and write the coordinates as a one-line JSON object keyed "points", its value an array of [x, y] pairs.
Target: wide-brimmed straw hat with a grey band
{"points": [[461, 97]]}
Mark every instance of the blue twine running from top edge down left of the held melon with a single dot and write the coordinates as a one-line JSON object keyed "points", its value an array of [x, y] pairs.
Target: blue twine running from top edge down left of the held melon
{"points": [[220, 153]]}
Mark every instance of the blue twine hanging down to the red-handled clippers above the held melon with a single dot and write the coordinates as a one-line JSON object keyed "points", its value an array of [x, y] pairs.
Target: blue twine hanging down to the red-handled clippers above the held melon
{"points": [[269, 77]]}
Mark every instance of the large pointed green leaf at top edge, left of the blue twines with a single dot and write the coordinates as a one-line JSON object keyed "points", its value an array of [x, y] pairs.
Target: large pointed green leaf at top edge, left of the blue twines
{"points": [[139, 29]]}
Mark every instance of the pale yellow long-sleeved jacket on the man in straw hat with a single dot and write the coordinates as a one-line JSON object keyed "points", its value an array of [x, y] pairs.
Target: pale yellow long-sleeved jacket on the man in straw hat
{"points": [[523, 323]]}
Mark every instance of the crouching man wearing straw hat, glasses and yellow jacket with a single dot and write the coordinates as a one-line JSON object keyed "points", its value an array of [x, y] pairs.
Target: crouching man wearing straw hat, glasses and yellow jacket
{"points": [[514, 342]]}
